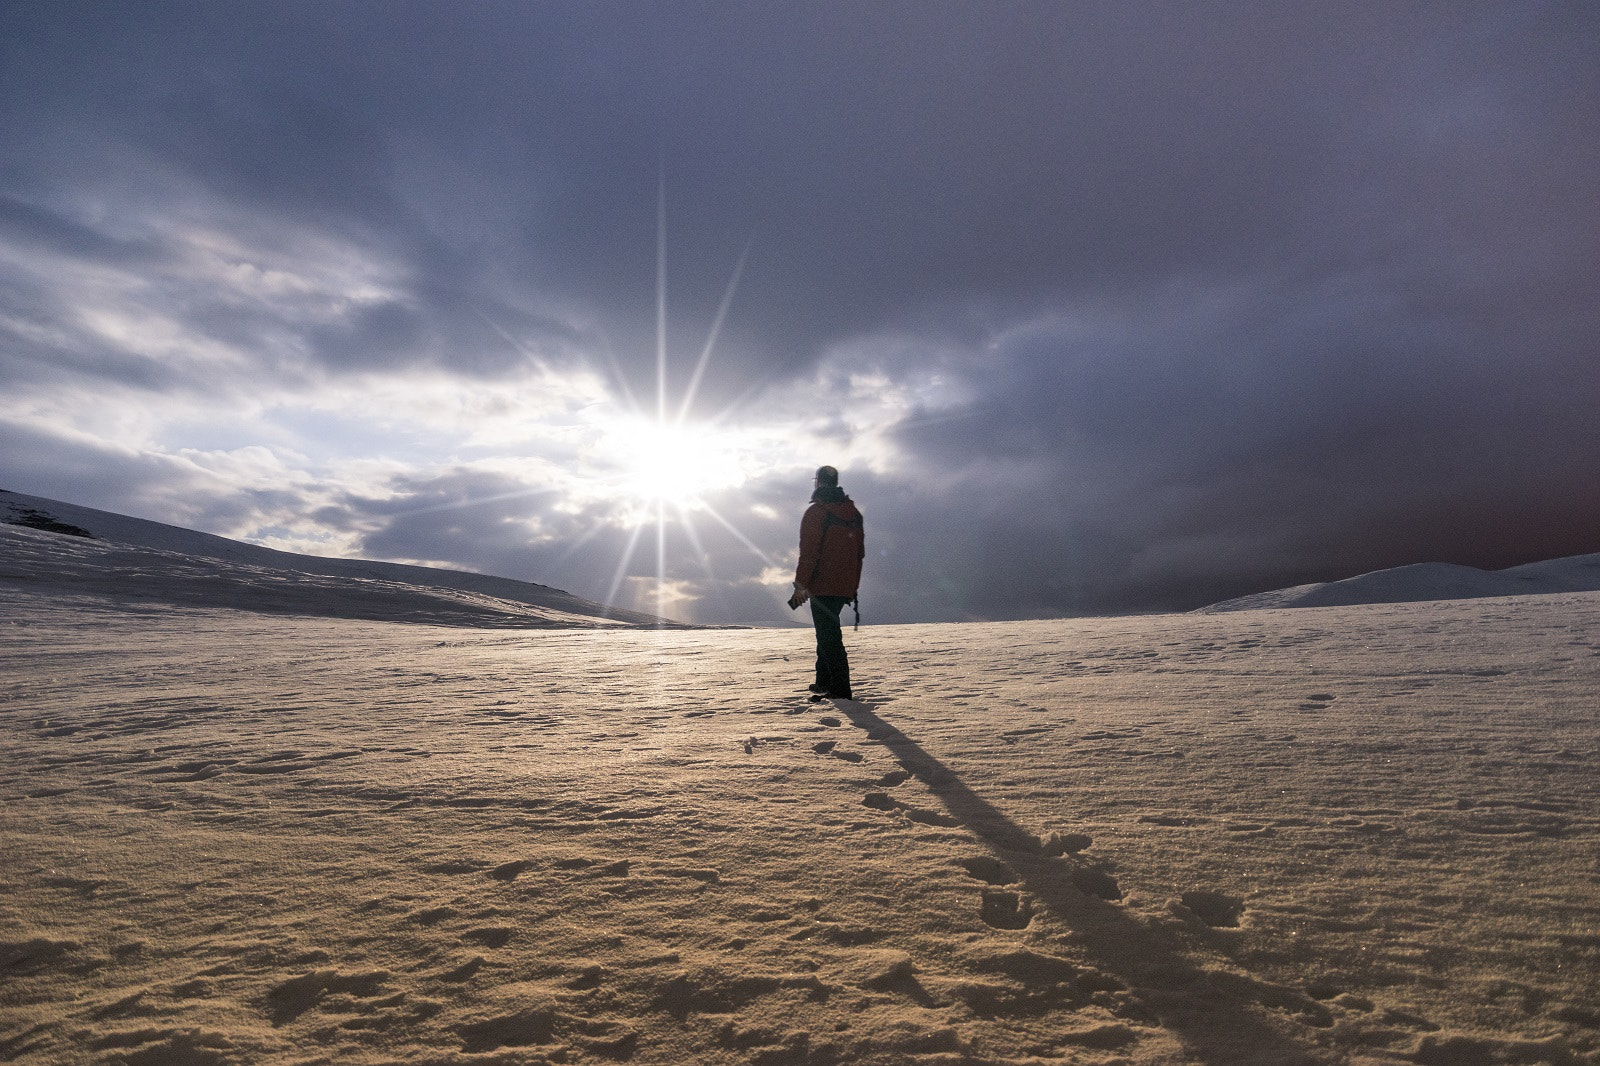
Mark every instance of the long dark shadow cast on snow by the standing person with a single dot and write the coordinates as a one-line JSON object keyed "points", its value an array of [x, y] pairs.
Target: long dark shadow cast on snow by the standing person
{"points": [[1220, 1017]]}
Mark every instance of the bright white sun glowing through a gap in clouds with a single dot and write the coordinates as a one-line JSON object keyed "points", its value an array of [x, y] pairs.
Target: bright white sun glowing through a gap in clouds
{"points": [[666, 462]]}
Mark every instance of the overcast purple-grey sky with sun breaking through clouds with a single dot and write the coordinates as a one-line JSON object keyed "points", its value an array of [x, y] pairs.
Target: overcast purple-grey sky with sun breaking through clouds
{"points": [[1097, 307]]}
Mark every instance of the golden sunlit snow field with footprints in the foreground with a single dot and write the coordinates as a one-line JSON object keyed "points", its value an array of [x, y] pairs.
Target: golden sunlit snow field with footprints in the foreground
{"points": [[1361, 835]]}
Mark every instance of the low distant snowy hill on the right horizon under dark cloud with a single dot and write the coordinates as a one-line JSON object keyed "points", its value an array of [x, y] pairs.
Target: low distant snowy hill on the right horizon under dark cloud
{"points": [[1430, 582]]}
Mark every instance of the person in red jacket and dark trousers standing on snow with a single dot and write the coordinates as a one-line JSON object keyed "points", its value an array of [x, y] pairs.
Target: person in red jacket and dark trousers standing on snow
{"points": [[833, 545]]}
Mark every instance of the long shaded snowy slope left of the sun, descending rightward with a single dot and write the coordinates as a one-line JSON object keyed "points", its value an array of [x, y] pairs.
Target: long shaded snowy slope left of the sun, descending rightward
{"points": [[62, 550]]}
